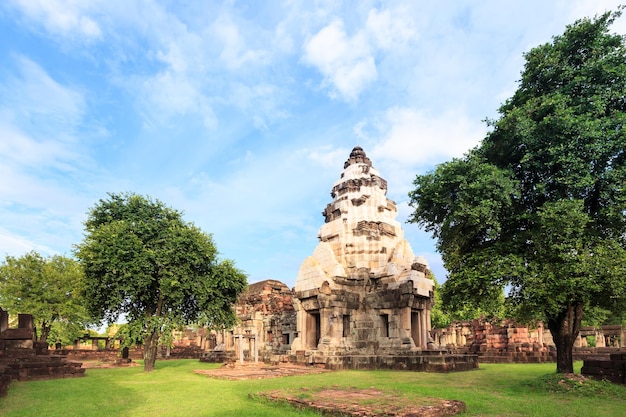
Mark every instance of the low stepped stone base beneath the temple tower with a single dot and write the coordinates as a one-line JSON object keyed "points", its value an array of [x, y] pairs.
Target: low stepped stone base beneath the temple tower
{"points": [[425, 361]]}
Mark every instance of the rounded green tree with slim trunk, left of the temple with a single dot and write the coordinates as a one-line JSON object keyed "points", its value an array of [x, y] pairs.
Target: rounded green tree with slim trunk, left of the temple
{"points": [[141, 260]]}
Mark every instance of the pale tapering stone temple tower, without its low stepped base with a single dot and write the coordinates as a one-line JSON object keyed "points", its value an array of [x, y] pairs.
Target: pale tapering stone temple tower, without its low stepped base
{"points": [[362, 291]]}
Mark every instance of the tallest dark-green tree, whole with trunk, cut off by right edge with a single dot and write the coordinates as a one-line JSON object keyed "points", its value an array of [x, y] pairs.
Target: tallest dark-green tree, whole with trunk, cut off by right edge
{"points": [[539, 207]]}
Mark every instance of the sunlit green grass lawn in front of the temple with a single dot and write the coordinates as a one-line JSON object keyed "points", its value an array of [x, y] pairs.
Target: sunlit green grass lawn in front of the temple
{"points": [[174, 390]]}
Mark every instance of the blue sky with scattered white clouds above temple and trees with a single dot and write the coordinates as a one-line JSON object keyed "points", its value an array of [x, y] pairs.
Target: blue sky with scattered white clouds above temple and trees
{"points": [[241, 114]]}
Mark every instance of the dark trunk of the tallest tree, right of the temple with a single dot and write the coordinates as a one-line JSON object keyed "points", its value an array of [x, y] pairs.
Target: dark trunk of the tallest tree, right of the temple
{"points": [[564, 328]]}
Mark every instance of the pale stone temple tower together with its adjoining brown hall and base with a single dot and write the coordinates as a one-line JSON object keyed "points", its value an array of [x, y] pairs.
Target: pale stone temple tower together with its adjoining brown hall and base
{"points": [[361, 300]]}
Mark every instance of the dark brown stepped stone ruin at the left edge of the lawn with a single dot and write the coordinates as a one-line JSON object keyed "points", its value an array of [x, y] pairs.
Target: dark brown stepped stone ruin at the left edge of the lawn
{"points": [[23, 359]]}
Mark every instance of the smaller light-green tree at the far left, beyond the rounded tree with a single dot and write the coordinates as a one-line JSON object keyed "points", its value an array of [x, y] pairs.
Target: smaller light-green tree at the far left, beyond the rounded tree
{"points": [[48, 288]]}
